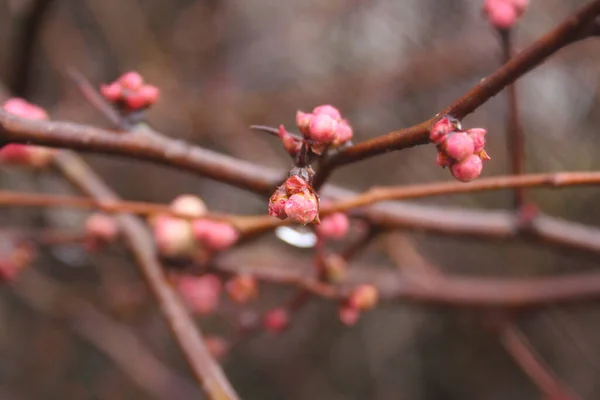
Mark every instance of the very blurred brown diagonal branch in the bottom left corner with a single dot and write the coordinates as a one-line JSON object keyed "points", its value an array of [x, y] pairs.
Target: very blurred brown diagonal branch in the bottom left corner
{"points": [[115, 340]]}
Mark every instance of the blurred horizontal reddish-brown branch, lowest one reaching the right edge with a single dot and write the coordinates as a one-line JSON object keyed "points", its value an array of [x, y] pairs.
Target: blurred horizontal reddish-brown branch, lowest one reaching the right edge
{"points": [[451, 291]]}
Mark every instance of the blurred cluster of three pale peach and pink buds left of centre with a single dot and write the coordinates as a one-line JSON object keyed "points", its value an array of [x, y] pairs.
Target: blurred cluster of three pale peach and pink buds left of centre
{"points": [[183, 237]]}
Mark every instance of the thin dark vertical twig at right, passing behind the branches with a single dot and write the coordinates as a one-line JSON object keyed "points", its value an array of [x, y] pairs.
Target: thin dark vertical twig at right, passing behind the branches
{"points": [[514, 130]]}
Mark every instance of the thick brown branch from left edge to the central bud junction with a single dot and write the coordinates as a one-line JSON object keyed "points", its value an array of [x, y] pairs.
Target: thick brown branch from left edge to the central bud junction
{"points": [[142, 146]]}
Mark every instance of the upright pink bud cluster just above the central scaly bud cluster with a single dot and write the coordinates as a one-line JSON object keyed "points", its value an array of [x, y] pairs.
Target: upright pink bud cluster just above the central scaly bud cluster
{"points": [[324, 126]]}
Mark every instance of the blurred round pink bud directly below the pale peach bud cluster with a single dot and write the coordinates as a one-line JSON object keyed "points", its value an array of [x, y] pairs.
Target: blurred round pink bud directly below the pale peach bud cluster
{"points": [[201, 293]]}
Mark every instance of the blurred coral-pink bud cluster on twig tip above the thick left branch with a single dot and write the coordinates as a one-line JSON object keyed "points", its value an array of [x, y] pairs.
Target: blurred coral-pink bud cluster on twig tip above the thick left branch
{"points": [[130, 93]]}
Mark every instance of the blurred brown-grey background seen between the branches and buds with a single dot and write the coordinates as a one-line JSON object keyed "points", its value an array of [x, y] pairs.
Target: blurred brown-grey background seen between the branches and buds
{"points": [[225, 65]]}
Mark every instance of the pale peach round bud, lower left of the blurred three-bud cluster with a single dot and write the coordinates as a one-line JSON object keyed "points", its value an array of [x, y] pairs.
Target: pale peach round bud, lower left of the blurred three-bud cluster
{"points": [[173, 236]]}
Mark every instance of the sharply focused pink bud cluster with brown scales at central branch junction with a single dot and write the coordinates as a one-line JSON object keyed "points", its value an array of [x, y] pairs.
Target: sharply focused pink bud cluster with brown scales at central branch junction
{"points": [[296, 200]]}
